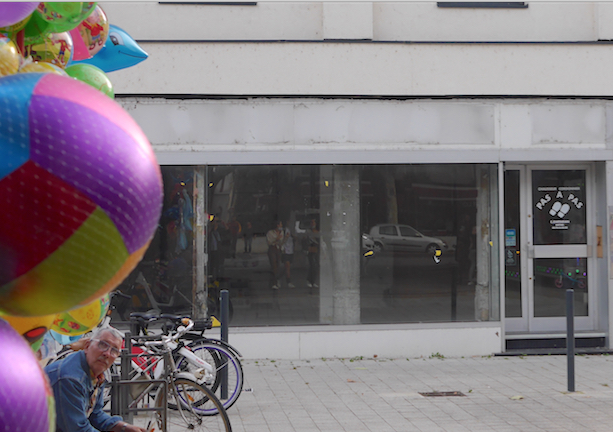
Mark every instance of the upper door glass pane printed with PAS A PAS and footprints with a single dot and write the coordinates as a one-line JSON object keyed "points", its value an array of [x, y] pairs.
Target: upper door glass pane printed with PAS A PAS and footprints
{"points": [[559, 207]]}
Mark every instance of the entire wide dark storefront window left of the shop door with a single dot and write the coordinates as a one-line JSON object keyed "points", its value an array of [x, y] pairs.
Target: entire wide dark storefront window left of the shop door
{"points": [[325, 244]]}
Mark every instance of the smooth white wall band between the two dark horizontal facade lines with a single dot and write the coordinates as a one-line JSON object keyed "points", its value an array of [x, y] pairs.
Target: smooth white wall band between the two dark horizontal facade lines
{"points": [[371, 69]]}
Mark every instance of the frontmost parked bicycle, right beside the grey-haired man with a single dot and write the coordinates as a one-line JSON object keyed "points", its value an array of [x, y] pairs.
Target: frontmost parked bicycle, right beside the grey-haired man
{"points": [[191, 403]]}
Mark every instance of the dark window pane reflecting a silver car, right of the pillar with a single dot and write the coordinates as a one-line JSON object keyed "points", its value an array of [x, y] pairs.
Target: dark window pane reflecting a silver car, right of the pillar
{"points": [[411, 211]]}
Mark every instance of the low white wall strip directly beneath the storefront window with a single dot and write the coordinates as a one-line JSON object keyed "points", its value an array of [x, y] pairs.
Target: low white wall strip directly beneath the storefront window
{"points": [[401, 341]]}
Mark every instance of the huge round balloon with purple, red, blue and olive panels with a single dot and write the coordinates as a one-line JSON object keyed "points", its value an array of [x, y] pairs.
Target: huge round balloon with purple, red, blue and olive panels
{"points": [[80, 193]]}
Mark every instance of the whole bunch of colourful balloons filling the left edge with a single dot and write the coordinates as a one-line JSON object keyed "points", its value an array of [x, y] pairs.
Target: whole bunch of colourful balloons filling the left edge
{"points": [[80, 187]]}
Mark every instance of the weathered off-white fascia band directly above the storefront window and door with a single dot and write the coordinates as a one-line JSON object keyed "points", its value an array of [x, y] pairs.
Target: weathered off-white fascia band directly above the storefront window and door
{"points": [[298, 130]]}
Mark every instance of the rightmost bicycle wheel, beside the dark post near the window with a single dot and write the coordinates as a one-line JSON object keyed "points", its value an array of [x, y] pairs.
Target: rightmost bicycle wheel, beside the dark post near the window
{"points": [[224, 361]]}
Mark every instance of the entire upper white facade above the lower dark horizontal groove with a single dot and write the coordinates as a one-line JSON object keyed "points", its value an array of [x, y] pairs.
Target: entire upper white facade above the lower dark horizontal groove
{"points": [[398, 48]]}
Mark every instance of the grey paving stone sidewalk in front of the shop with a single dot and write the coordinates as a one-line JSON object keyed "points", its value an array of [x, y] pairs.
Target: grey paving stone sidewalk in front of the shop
{"points": [[502, 394]]}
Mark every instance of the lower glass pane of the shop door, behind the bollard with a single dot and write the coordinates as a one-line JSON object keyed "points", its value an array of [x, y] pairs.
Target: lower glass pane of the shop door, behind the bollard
{"points": [[552, 277]]}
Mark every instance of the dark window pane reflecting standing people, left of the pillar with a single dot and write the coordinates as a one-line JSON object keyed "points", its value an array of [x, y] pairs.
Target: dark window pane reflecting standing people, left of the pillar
{"points": [[264, 242]]}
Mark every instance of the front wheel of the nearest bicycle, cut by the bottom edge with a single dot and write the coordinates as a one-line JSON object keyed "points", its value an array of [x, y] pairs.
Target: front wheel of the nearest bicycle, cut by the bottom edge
{"points": [[191, 400]]}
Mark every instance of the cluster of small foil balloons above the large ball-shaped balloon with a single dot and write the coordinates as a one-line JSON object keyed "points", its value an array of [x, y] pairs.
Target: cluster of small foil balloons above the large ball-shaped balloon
{"points": [[66, 38]]}
